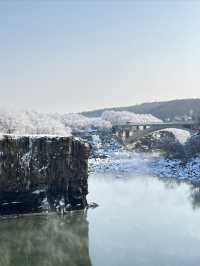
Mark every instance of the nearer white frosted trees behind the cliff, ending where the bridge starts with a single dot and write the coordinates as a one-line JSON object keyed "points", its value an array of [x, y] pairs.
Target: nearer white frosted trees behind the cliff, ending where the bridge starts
{"points": [[35, 123]]}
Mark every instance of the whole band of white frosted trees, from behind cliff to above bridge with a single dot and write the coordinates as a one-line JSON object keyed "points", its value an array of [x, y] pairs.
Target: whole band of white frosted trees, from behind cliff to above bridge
{"points": [[34, 123]]}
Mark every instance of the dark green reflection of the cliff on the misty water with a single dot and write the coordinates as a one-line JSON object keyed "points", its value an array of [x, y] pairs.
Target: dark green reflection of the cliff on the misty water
{"points": [[45, 241]]}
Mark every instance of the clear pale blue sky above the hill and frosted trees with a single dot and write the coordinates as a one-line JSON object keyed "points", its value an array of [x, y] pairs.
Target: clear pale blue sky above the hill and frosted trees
{"points": [[72, 56]]}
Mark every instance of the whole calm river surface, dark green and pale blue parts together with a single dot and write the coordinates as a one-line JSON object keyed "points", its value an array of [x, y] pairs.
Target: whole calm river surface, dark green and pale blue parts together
{"points": [[141, 221]]}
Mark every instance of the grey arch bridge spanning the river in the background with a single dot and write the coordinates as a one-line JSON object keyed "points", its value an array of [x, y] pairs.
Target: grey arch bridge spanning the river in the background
{"points": [[132, 132]]}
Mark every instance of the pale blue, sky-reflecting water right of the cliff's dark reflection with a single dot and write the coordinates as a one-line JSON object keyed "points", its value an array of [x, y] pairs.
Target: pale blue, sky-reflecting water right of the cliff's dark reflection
{"points": [[143, 221]]}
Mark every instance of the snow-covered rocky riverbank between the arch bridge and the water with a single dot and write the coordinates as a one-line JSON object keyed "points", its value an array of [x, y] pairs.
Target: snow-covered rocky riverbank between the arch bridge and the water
{"points": [[120, 160]]}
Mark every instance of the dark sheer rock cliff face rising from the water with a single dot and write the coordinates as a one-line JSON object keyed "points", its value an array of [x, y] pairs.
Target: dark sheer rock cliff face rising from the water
{"points": [[42, 173]]}
